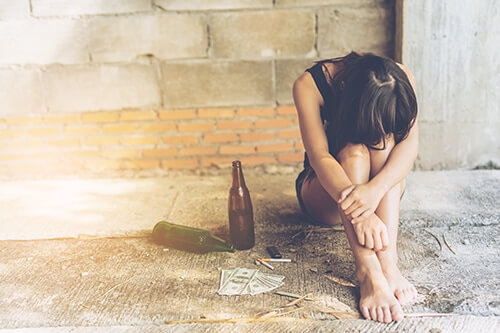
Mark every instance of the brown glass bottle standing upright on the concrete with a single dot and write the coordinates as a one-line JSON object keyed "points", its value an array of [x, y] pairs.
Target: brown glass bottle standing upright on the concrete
{"points": [[240, 211]]}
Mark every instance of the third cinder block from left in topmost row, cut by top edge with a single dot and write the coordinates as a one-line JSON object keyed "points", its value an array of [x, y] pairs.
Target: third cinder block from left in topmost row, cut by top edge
{"points": [[212, 4]]}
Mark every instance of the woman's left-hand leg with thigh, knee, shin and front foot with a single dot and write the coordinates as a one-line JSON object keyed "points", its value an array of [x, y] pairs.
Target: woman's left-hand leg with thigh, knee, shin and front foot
{"points": [[377, 299]]}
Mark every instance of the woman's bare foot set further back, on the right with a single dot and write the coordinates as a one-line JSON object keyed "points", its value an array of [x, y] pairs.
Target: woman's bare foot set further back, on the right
{"points": [[404, 291]]}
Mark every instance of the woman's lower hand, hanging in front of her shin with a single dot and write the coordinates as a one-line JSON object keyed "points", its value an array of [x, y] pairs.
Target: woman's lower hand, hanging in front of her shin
{"points": [[372, 233]]}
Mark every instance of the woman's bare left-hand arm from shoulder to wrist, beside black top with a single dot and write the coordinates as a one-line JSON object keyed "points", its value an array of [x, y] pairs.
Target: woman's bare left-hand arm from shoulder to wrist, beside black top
{"points": [[308, 100]]}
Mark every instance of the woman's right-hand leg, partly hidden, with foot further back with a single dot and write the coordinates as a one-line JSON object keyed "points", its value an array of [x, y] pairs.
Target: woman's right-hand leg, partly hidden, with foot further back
{"points": [[388, 212]]}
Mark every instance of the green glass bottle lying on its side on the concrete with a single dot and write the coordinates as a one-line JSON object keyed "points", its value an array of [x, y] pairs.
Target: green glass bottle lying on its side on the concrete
{"points": [[188, 238]]}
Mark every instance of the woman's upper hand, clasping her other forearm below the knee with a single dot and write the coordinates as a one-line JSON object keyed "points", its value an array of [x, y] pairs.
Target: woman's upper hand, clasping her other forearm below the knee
{"points": [[358, 202]]}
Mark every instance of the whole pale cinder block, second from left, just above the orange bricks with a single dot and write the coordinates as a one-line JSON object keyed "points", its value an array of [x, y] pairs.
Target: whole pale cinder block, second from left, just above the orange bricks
{"points": [[82, 88]]}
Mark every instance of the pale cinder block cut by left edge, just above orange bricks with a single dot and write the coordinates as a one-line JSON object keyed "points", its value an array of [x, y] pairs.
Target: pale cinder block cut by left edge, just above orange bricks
{"points": [[21, 92]]}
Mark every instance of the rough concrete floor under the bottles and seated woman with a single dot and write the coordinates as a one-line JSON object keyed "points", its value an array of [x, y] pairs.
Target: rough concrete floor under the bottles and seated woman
{"points": [[75, 255]]}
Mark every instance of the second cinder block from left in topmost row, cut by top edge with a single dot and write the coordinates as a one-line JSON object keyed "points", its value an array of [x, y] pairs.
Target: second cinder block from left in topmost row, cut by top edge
{"points": [[88, 7]]}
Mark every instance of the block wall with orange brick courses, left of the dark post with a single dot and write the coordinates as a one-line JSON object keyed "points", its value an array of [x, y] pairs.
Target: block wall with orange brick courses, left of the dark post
{"points": [[108, 85]]}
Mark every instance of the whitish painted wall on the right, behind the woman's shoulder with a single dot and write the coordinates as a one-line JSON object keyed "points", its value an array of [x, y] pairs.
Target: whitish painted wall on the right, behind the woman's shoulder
{"points": [[452, 47]]}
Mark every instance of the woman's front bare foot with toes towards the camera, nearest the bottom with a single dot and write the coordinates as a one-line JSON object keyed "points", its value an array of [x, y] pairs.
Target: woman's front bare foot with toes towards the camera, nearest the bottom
{"points": [[377, 299]]}
